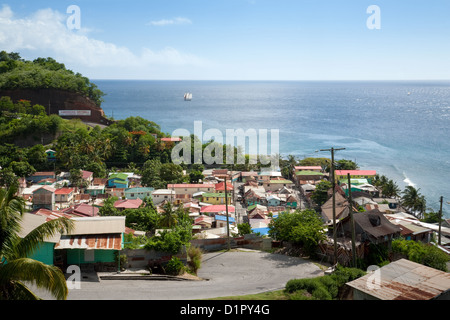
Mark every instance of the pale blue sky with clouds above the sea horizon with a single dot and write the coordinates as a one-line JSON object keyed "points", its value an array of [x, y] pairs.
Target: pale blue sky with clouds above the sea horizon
{"points": [[235, 39]]}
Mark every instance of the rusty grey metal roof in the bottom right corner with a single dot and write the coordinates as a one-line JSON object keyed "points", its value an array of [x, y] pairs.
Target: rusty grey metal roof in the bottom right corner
{"points": [[403, 280]]}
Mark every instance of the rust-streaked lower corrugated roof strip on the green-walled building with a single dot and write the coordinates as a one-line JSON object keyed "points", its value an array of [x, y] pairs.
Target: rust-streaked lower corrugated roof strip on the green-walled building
{"points": [[93, 241]]}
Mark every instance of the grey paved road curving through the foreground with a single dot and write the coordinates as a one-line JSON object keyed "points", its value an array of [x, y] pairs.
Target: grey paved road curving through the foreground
{"points": [[228, 274]]}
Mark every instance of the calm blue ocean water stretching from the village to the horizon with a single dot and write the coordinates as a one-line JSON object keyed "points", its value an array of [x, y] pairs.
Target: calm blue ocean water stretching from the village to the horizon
{"points": [[401, 129]]}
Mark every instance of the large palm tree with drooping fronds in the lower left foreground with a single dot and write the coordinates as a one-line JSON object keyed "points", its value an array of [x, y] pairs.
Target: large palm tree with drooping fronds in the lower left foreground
{"points": [[15, 267]]}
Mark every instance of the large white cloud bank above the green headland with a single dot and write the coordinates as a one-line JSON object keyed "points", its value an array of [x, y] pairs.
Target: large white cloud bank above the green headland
{"points": [[45, 33]]}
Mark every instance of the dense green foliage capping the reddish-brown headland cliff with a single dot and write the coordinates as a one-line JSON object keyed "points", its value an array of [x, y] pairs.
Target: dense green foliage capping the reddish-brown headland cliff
{"points": [[43, 73]]}
